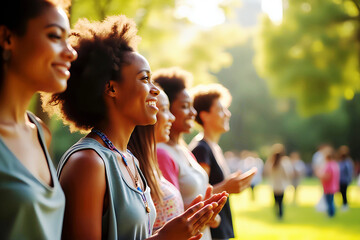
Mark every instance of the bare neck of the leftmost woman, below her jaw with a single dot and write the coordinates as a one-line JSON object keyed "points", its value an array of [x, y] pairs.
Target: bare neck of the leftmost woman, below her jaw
{"points": [[14, 101]]}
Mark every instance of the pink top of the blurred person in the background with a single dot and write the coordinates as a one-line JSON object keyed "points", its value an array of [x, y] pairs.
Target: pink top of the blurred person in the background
{"points": [[331, 177]]}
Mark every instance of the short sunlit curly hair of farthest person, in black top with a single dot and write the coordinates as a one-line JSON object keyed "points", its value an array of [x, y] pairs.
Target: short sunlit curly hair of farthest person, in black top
{"points": [[205, 95]]}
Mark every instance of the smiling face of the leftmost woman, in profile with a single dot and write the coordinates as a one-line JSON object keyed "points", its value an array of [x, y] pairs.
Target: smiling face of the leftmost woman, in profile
{"points": [[41, 58]]}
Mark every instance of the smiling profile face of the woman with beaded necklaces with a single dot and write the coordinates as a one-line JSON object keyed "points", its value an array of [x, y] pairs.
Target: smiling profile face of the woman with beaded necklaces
{"points": [[138, 94]]}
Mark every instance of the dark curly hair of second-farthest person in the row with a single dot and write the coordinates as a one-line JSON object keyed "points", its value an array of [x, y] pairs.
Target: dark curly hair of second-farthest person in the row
{"points": [[172, 81]]}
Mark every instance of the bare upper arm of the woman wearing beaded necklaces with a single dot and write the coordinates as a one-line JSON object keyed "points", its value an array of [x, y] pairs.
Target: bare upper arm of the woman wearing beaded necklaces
{"points": [[84, 184]]}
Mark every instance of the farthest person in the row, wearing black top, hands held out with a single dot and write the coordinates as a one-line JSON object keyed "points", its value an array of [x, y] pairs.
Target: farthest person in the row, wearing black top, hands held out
{"points": [[211, 102]]}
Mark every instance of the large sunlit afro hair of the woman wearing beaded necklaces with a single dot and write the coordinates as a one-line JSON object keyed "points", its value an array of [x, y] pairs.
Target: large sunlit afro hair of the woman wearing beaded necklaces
{"points": [[102, 49]]}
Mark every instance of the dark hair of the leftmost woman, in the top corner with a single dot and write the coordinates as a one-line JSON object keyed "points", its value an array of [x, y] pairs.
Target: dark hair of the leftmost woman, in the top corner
{"points": [[15, 14]]}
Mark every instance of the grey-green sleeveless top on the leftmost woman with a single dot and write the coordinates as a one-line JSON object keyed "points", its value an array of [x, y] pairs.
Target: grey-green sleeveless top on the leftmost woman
{"points": [[29, 209]]}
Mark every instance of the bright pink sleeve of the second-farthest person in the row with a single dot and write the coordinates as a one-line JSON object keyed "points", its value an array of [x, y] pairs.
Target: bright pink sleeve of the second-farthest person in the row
{"points": [[169, 169]]}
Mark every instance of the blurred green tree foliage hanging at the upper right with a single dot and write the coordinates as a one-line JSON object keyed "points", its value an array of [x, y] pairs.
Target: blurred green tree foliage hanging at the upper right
{"points": [[313, 55]]}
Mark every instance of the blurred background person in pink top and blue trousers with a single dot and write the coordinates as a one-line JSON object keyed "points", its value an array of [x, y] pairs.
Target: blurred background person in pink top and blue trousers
{"points": [[330, 178]]}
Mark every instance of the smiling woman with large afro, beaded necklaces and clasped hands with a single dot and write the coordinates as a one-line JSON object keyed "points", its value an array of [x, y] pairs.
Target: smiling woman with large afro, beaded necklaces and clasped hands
{"points": [[109, 93]]}
